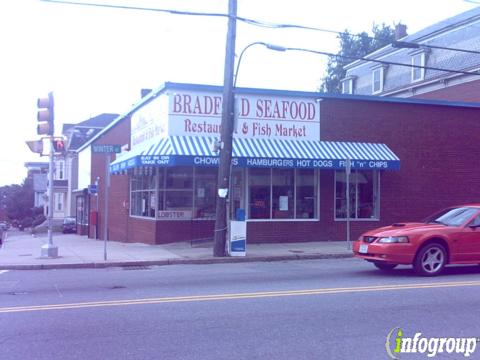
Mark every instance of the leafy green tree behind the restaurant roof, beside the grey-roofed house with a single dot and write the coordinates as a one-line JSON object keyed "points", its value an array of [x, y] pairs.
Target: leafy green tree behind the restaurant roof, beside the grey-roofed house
{"points": [[354, 46]]}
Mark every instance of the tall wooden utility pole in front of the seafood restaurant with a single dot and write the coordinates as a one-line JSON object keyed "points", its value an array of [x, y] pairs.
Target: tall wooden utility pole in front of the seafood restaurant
{"points": [[223, 182]]}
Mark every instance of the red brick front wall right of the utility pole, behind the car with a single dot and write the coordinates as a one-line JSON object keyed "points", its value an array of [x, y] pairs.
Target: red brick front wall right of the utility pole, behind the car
{"points": [[437, 147]]}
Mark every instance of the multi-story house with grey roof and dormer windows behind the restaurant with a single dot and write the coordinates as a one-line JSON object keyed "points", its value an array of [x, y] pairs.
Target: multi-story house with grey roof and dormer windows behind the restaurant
{"points": [[442, 62]]}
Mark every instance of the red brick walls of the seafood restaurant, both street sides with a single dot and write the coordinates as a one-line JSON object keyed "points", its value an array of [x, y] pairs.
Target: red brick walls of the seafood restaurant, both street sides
{"points": [[436, 145]]}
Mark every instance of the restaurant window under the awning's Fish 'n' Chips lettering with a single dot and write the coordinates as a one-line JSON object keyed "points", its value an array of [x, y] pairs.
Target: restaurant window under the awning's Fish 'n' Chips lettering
{"points": [[363, 195]]}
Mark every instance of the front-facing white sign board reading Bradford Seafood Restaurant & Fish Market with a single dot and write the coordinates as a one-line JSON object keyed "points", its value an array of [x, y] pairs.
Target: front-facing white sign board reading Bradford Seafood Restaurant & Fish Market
{"points": [[256, 116]]}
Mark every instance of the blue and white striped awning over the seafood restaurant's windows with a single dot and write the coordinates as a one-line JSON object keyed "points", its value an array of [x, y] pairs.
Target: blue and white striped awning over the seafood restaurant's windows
{"points": [[271, 153]]}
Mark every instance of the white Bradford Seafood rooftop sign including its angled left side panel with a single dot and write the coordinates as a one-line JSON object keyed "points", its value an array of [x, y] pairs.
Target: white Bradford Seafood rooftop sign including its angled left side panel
{"points": [[199, 113]]}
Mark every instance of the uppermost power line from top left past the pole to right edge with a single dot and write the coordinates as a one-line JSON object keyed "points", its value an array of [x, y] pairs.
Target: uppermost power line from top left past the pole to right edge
{"points": [[251, 22]]}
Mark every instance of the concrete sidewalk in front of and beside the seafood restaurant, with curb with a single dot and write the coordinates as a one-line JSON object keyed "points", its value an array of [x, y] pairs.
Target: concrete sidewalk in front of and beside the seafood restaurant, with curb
{"points": [[21, 251]]}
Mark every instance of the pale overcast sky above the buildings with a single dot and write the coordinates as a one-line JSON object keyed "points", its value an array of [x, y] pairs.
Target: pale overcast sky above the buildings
{"points": [[96, 60]]}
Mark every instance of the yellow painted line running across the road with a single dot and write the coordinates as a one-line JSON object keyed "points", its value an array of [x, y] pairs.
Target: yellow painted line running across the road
{"points": [[238, 296]]}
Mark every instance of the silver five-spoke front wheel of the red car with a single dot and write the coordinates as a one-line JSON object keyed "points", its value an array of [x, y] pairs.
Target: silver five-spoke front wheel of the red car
{"points": [[430, 260]]}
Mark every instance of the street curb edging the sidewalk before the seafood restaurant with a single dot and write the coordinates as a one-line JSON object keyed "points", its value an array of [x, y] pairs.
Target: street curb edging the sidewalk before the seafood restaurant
{"points": [[222, 260]]}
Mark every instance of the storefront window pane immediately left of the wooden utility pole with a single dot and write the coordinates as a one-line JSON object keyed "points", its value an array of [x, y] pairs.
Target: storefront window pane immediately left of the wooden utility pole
{"points": [[205, 187]]}
